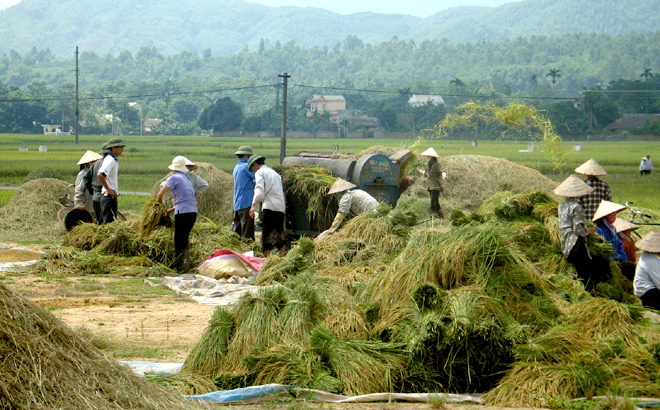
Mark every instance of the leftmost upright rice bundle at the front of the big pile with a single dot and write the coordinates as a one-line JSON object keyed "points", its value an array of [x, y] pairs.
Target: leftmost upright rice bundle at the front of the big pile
{"points": [[206, 357]]}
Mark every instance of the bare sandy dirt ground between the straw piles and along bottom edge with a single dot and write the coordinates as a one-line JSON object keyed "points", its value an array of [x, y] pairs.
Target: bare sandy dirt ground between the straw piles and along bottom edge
{"points": [[144, 323]]}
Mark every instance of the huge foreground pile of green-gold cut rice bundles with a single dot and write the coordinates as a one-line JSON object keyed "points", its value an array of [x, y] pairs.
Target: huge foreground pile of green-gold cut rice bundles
{"points": [[478, 304]]}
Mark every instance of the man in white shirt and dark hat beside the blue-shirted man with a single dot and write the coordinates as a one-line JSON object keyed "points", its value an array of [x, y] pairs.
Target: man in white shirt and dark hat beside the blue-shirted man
{"points": [[268, 191]]}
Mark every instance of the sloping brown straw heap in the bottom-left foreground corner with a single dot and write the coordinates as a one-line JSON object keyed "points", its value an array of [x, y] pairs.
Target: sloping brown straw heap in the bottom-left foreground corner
{"points": [[47, 365]]}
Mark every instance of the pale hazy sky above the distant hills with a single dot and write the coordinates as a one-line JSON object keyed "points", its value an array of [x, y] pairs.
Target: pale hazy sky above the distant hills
{"points": [[421, 8]]}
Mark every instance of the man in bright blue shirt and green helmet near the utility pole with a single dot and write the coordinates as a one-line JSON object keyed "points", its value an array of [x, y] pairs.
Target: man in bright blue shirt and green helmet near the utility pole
{"points": [[243, 194]]}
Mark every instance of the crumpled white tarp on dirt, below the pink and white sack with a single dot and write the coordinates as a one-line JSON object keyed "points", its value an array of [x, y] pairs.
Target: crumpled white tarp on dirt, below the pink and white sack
{"points": [[205, 290]]}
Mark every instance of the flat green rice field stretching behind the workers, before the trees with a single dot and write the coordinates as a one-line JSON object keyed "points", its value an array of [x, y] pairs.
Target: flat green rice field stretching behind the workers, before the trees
{"points": [[145, 159]]}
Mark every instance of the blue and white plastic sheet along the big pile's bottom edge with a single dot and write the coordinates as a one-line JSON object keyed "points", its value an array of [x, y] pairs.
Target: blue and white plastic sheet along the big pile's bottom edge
{"points": [[266, 392]]}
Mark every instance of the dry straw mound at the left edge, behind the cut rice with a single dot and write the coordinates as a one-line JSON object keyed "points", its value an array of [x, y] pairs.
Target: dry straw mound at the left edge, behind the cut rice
{"points": [[31, 214]]}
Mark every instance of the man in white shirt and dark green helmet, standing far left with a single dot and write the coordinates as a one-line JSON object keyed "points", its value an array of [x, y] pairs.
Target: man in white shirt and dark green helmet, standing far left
{"points": [[108, 177]]}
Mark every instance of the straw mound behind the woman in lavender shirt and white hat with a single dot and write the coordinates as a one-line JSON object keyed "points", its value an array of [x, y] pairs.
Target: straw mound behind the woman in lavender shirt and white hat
{"points": [[217, 202]]}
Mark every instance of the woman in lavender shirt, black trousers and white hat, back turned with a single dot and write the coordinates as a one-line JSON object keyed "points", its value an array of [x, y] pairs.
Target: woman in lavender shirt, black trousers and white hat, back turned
{"points": [[185, 211]]}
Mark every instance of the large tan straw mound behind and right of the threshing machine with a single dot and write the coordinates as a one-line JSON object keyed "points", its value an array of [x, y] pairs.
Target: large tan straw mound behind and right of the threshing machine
{"points": [[474, 178]]}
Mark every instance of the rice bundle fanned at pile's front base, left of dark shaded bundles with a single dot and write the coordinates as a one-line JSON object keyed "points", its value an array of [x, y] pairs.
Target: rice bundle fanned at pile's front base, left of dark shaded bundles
{"points": [[361, 366]]}
